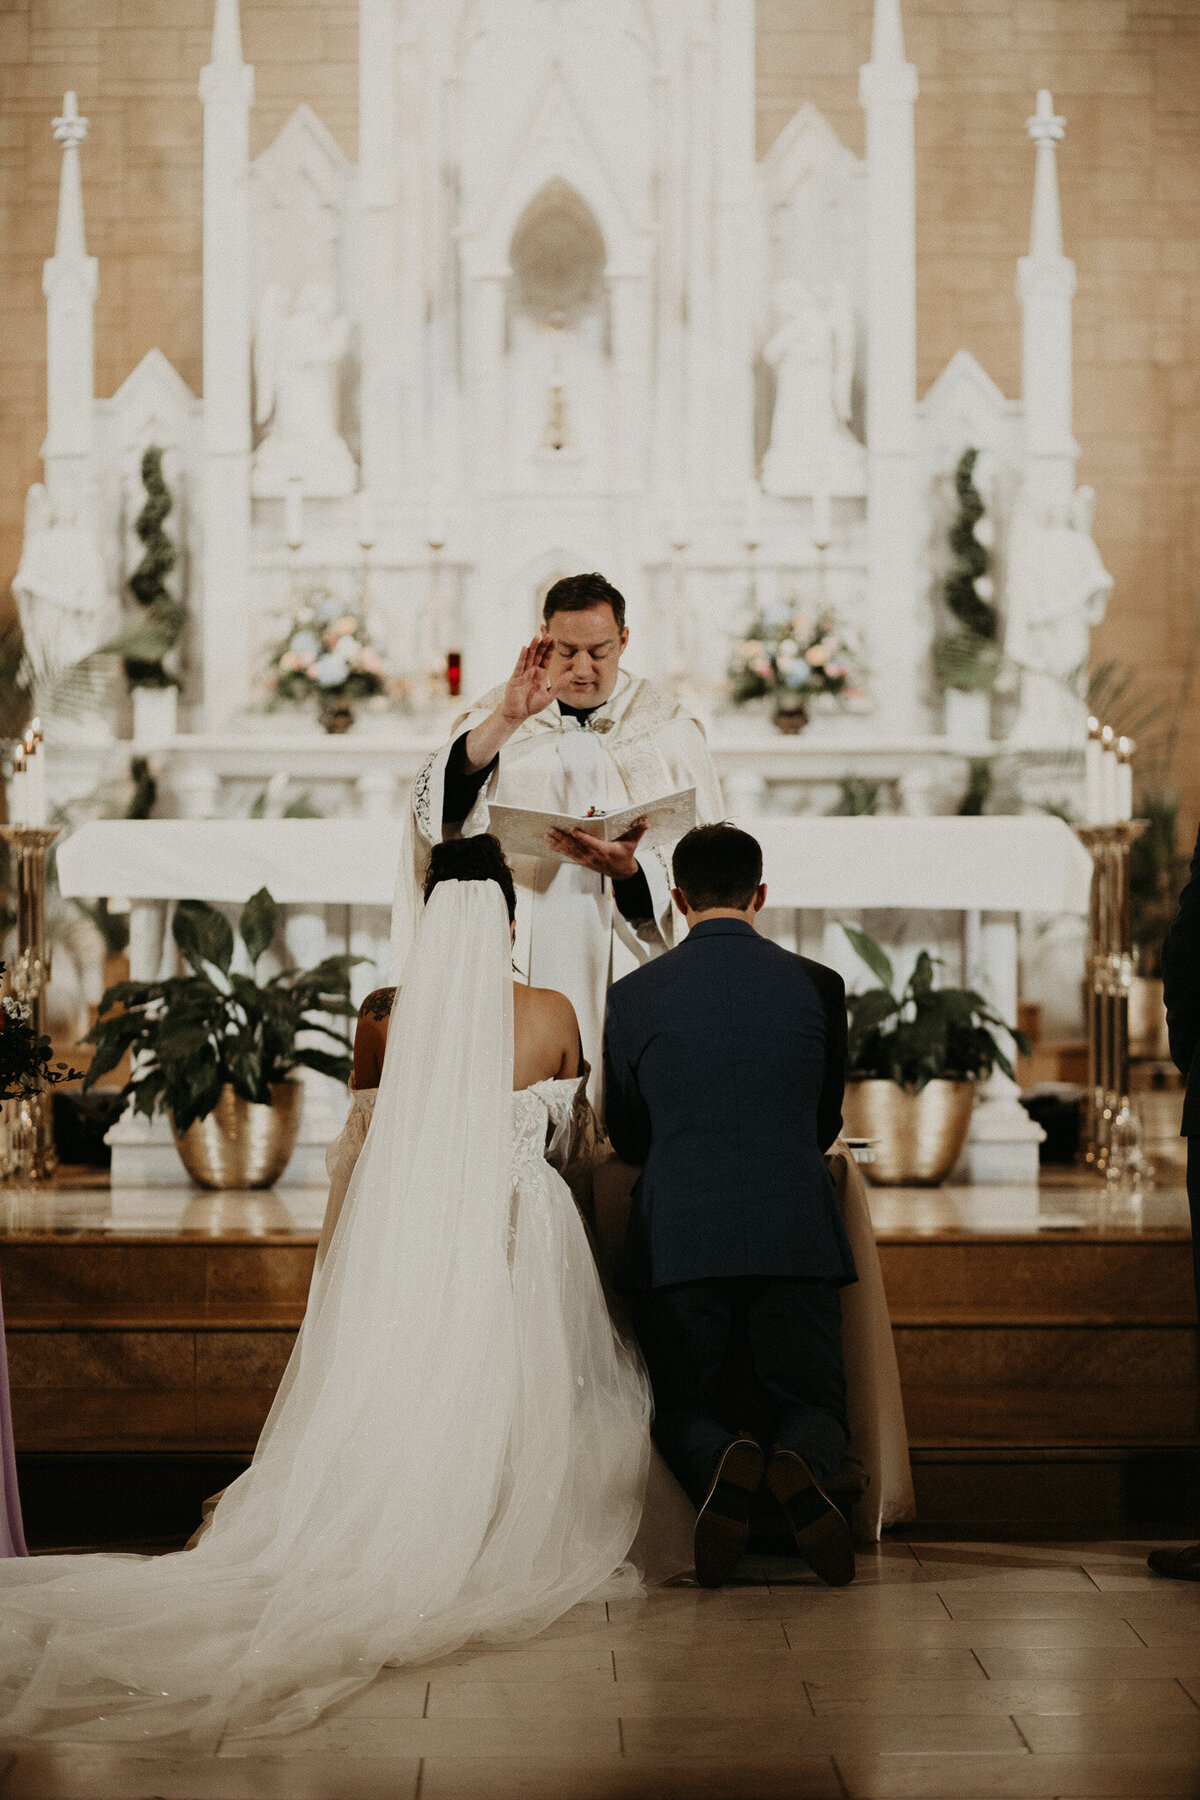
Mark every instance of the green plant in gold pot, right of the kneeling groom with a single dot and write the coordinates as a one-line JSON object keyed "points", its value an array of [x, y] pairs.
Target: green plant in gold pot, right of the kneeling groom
{"points": [[913, 1063]]}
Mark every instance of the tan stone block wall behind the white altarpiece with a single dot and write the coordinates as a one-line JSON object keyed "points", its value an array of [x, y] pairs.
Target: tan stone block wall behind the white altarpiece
{"points": [[1125, 73]]}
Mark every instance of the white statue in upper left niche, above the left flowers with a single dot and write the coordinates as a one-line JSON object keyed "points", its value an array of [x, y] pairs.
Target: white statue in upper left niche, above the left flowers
{"points": [[298, 352]]}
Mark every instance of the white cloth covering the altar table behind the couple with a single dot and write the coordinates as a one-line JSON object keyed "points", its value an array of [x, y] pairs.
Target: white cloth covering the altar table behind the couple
{"points": [[1007, 865]]}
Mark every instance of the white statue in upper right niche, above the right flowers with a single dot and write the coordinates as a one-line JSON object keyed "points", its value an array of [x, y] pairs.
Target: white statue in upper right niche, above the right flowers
{"points": [[812, 352]]}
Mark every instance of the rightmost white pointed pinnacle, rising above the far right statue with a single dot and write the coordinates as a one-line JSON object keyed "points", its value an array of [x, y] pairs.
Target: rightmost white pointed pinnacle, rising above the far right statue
{"points": [[1046, 282]]}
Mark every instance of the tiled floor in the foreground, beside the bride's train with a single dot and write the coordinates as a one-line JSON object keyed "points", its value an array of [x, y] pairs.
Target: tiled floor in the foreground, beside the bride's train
{"points": [[949, 1669]]}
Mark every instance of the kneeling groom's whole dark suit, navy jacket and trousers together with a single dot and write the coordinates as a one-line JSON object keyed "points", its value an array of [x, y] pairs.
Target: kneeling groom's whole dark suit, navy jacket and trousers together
{"points": [[726, 1063]]}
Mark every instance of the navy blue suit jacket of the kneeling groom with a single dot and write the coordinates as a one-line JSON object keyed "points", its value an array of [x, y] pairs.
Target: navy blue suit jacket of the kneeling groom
{"points": [[726, 1063]]}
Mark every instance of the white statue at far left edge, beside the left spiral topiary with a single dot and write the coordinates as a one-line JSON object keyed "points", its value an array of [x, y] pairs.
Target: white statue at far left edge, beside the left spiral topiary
{"points": [[60, 589]]}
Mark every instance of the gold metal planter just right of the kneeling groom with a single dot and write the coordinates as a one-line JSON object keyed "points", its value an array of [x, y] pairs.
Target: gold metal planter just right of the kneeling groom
{"points": [[918, 1138]]}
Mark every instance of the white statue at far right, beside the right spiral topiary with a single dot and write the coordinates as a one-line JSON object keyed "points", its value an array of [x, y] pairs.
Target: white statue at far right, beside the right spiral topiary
{"points": [[1057, 591]]}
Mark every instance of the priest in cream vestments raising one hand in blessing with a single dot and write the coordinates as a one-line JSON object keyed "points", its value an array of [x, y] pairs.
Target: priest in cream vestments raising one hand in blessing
{"points": [[569, 732]]}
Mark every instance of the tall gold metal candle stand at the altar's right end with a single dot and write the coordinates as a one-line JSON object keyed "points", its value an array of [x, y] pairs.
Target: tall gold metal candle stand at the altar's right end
{"points": [[1109, 978]]}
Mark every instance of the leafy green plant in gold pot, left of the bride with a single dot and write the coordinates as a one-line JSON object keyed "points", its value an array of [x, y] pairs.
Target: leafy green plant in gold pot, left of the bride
{"points": [[217, 1050]]}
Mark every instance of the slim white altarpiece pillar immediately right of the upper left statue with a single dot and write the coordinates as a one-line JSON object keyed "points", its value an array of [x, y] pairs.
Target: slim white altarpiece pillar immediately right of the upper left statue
{"points": [[386, 413]]}
